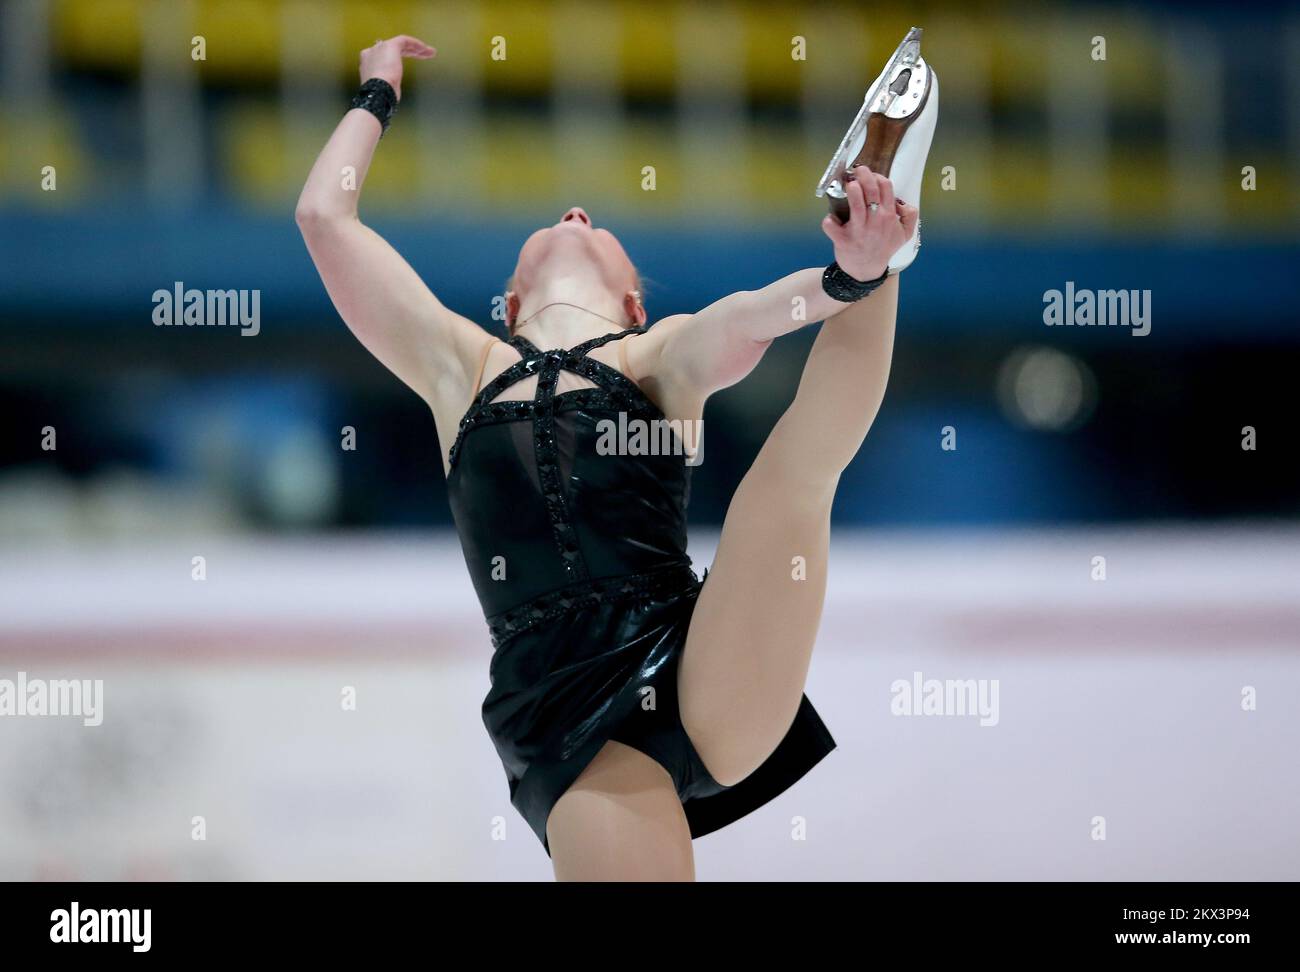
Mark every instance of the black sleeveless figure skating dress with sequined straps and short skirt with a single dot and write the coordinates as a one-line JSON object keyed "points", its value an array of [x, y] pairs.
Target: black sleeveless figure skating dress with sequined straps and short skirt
{"points": [[580, 565]]}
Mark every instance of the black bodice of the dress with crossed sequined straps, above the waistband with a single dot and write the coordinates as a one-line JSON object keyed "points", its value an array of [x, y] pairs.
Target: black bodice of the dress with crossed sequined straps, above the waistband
{"points": [[547, 502]]}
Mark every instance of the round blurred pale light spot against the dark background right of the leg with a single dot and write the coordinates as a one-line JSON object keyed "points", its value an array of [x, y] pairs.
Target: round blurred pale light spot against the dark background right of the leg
{"points": [[1042, 388]]}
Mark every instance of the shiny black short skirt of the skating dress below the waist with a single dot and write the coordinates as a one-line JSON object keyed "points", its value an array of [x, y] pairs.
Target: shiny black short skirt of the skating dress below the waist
{"points": [[575, 670]]}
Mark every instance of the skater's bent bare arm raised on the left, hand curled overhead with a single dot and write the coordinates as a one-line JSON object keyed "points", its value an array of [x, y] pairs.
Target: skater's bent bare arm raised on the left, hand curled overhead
{"points": [[378, 294]]}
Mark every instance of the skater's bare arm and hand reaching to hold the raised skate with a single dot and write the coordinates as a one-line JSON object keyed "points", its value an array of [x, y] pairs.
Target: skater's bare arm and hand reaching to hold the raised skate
{"points": [[722, 344]]}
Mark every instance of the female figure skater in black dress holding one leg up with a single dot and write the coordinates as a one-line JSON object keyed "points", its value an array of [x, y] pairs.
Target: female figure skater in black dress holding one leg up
{"points": [[634, 706]]}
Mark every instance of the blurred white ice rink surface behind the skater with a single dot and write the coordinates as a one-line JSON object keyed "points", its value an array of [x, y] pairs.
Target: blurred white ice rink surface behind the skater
{"points": [[1119, 700]]}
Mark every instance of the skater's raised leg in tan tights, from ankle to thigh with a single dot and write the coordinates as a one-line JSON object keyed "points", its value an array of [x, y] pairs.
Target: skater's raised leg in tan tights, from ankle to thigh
{"points": [[752, 635]]}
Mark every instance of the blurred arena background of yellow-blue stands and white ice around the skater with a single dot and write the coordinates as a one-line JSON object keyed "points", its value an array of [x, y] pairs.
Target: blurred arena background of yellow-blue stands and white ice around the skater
{"points": [[127, 450]]}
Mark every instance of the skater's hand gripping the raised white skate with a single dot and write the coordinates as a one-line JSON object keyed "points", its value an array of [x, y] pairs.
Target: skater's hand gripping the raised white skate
{"points": [[865, 244]]}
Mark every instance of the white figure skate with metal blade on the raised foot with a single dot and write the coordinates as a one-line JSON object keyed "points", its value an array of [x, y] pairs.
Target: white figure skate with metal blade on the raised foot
{"points": [[891, 136]]}
